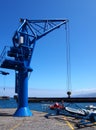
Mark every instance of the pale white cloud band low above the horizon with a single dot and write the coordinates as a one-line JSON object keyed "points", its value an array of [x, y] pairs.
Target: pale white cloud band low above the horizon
{"points": [[32, 92]]}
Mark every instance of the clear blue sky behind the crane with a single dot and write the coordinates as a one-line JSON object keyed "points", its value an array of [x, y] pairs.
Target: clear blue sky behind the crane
{"points": [[49, 60]]}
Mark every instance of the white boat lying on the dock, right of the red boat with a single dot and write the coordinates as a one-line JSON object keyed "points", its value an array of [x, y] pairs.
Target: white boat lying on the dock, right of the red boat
{"points": [[75, 111]]}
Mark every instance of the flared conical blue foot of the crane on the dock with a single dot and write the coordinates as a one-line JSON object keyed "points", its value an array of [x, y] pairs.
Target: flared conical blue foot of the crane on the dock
{"points": [[22, 112]]}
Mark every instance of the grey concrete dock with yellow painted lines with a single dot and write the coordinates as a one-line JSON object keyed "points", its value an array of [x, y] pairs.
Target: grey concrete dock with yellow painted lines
{"points": [[38, 122]]}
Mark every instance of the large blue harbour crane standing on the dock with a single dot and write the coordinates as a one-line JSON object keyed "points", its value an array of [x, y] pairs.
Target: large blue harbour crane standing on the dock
{"points": [[24, 40]]}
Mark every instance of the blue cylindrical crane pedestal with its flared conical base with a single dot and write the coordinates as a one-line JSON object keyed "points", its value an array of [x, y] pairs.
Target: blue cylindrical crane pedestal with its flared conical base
{"points": [[22, 89]]}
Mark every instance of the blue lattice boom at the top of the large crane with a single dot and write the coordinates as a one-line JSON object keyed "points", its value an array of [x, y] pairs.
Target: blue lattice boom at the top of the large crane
{"points": [[36, 29]]}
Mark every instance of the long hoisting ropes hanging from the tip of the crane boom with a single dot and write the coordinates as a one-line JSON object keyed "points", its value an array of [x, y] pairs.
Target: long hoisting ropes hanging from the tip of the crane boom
{"points": [[68, 80]]}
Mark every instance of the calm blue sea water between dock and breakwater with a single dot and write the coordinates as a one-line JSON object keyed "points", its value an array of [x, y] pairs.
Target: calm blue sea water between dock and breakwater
{"points": [[11, 103]]}
